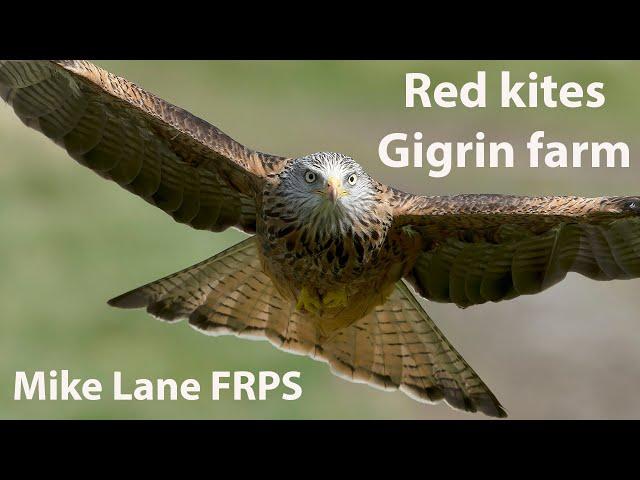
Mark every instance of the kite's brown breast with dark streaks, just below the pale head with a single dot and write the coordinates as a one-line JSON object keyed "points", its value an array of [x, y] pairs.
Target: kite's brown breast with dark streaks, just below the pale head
{"points": [[362, 258]]}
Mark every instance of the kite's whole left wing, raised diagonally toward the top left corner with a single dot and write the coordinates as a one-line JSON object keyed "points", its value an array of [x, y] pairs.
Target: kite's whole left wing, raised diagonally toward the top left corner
{"points": [[160, 152]]}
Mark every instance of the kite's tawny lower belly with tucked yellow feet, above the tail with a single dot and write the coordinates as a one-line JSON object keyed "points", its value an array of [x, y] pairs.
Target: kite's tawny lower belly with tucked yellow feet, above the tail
{"points": [[337, 282]]}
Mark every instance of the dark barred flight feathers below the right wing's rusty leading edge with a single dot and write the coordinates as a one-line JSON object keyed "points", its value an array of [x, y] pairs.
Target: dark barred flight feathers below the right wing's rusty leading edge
{"points": [[519, 262]]}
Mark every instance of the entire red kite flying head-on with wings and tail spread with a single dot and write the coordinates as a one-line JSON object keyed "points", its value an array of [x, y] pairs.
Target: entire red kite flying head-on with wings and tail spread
{"points": [[328, 270]]}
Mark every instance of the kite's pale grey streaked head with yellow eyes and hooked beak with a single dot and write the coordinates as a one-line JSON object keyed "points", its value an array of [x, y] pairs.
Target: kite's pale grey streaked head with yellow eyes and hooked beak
{"points": [[328, 188]]}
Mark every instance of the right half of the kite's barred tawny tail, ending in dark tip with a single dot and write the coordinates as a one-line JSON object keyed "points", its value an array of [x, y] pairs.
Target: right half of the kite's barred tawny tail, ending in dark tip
{"points": [[398, 346]]}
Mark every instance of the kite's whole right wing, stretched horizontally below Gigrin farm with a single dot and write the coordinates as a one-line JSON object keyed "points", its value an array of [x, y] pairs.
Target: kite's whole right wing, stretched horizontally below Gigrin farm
{"points": [[479, 248]]}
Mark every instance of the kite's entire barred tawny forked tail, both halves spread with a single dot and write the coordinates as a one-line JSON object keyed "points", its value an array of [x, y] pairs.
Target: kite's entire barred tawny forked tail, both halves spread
{"points": [[397, 346]]}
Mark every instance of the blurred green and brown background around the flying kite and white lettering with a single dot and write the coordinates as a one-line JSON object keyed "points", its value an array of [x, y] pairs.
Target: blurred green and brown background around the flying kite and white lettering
{"points": [[69, 241]]}
